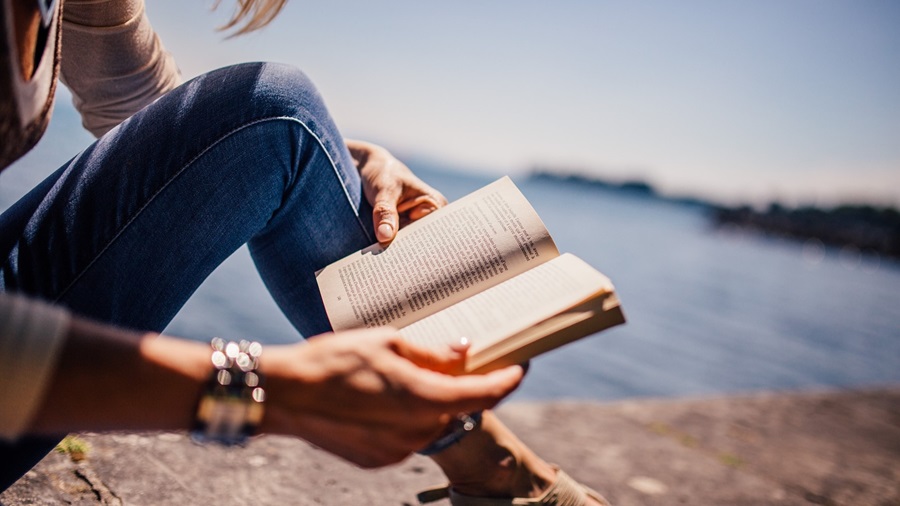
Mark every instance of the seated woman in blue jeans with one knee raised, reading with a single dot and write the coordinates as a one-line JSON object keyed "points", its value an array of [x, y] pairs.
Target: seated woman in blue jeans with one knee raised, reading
{"points": [[181, 176]]}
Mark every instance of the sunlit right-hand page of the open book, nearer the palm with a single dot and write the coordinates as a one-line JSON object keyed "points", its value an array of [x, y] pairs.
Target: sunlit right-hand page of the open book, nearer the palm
{"points": [[512, 306]]}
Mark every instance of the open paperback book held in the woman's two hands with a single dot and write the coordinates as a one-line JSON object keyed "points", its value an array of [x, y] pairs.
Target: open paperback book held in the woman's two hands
{"points": [[483, 267]]}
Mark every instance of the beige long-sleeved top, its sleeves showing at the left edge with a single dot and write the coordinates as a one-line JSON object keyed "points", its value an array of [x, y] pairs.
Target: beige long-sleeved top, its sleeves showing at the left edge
{"points": [[114, 64]]}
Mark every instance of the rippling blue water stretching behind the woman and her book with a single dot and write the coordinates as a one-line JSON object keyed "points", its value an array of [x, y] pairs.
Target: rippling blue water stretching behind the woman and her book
{"points": [[709, 311]]}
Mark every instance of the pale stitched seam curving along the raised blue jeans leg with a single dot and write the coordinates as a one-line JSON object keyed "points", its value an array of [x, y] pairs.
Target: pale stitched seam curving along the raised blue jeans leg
{"points": [[177, 174]]}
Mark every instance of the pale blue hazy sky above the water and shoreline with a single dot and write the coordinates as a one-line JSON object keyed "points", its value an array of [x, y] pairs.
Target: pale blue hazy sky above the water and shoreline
{"points": [[798, 101]]}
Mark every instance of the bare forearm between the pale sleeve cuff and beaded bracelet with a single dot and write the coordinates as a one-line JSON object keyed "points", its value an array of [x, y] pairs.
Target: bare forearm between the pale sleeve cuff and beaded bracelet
{"points": [[112, 379]]}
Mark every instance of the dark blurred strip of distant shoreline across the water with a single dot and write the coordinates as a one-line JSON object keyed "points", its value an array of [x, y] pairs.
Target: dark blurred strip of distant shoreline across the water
{"points": [[865, 228]]}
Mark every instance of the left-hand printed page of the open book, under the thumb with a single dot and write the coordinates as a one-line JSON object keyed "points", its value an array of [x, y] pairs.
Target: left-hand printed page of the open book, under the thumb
{"points": [[476, 242]]}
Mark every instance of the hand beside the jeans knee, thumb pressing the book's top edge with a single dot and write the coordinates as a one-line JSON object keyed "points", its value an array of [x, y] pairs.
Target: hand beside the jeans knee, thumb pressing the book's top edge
{"points": [[396, 194]]}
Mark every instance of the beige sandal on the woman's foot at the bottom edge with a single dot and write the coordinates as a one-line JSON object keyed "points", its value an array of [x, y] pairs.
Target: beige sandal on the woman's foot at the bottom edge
{"points": [[564, 492]]}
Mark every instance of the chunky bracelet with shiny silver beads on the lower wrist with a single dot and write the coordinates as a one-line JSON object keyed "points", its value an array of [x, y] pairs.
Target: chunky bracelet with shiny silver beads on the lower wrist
{"points": [[230, 408]]}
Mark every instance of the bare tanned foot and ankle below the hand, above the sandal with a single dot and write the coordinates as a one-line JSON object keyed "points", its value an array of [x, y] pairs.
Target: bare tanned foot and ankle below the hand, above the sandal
{"points": [[492, 462]]}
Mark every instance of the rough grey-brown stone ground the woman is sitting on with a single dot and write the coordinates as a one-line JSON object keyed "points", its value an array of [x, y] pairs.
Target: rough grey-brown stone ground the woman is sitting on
{"points": [[829, 448]]}
